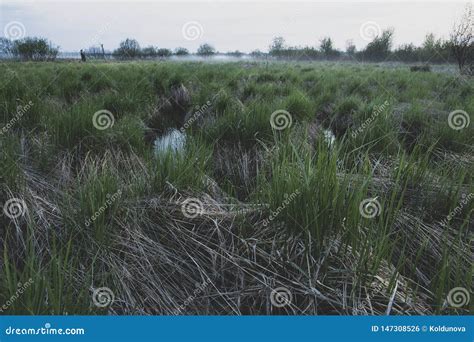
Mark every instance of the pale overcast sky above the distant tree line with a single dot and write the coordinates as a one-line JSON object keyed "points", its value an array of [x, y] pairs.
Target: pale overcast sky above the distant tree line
{"points": [[227, 25]]}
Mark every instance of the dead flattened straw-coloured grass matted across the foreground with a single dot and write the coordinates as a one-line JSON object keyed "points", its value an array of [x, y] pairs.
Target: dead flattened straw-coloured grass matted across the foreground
{"points": [[223, 261]]}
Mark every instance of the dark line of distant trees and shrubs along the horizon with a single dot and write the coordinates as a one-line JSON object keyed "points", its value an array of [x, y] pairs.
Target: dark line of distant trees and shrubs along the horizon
{"points": [[458, 49]]}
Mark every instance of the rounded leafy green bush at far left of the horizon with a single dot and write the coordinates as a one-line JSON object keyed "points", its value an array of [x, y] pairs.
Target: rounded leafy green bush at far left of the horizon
{"points": [[34, 49]]}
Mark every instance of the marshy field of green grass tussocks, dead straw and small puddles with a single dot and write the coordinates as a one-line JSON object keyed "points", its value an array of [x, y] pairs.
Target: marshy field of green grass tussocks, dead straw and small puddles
{"points": [[178, 188]]}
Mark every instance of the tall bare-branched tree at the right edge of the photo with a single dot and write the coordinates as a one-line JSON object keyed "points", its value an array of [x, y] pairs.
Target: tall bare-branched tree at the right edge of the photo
{"points": [[462, 42]]}
